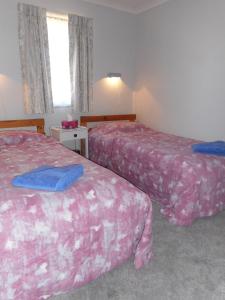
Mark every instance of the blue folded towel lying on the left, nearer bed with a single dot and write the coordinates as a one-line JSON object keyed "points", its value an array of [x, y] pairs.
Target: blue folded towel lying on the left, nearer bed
{"points": [[49, 178]]}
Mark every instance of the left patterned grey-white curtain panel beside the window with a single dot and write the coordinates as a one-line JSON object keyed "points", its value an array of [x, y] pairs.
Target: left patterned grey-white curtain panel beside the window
{"points": [[35, 62]]}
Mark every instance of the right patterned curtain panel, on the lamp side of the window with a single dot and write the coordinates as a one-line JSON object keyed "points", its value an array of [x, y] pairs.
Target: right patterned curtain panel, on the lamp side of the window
{"points": [[81, 62]]}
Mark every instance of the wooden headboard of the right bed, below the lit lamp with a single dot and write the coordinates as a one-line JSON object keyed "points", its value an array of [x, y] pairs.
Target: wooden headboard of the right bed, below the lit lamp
{"points": [[89, 119]]}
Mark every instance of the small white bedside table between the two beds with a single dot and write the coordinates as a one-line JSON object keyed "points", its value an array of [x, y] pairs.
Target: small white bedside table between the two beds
{"points": [[78, 133]]}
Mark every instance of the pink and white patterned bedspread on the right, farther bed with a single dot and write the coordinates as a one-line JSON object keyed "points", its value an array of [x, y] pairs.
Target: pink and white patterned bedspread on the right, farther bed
{"points": [[187, 185]]}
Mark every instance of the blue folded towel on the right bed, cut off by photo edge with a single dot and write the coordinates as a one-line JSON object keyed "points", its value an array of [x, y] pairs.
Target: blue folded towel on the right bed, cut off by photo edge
{"points": [[215, 148]]}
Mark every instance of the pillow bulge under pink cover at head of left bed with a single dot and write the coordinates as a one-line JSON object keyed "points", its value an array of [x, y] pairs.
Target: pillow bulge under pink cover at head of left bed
{"points": [[14, 137]]}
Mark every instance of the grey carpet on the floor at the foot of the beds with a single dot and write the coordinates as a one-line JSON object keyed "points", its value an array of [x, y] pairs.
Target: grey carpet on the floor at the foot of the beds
{"points": [[188, 263]]}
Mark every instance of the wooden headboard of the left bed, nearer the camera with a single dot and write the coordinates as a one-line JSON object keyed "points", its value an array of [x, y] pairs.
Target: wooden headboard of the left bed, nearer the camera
{"points": [[38, 123]]}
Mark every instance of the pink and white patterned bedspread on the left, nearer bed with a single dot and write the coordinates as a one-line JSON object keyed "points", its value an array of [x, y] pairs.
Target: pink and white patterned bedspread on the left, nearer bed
{"points": [[51, 242]]}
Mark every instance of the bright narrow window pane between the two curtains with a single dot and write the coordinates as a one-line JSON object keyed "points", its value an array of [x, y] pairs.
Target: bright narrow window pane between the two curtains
{"points": [[58, 37]]}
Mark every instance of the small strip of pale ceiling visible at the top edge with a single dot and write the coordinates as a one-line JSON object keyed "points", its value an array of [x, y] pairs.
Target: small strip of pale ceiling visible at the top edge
{"points": [[132, 6]]}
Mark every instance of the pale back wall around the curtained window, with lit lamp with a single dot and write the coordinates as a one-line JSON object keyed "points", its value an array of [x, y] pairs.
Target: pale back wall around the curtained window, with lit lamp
{"points": [[113, 40]]}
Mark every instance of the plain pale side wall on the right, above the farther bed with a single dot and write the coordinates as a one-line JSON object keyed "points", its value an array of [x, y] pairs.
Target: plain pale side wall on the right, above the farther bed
{"points": [[181, 68]]}
